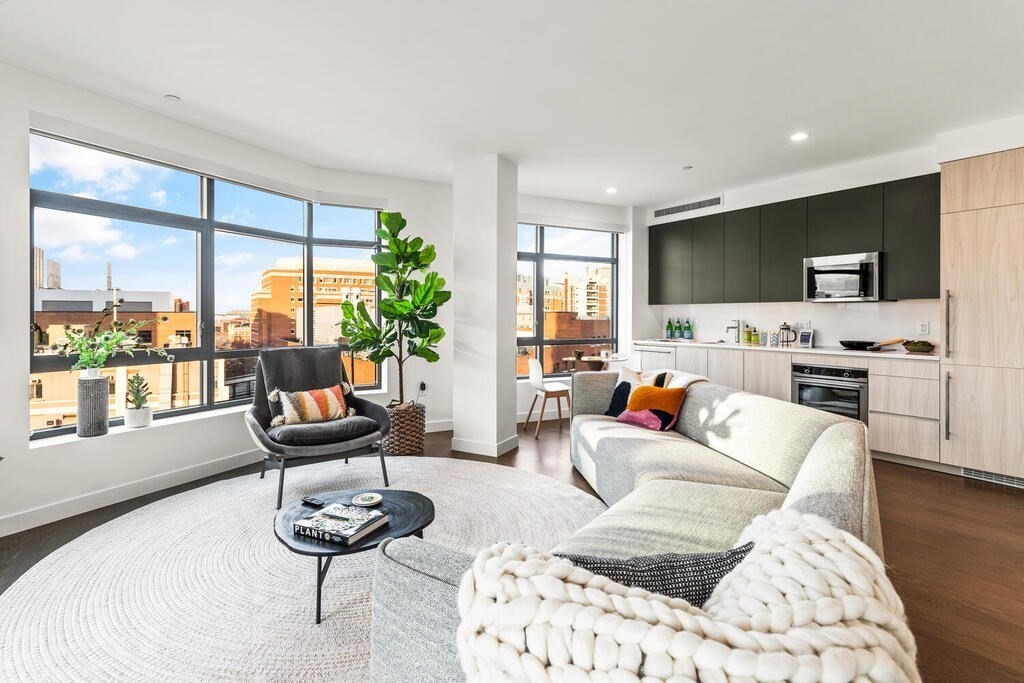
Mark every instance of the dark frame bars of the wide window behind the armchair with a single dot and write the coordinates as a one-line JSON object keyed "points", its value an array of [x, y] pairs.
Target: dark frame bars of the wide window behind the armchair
{"points": [[206, 228]]}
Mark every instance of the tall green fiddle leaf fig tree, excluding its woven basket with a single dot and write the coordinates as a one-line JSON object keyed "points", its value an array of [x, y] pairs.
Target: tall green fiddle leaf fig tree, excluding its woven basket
{"points": [[411, 295]]}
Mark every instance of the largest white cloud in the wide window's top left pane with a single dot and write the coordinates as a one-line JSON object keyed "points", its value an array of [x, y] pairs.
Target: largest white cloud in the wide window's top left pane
{"points": [[109, 175]]}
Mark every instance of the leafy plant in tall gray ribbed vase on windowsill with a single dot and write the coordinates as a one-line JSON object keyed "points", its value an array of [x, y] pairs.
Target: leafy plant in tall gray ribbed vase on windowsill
{"points": [[94, 348]]}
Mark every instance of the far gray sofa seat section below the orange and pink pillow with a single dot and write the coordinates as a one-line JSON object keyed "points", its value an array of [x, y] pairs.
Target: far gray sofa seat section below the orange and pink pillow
{"points": [[623, 457]]}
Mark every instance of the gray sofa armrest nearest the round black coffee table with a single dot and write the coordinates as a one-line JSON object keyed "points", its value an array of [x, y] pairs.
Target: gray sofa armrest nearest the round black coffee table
{"points": [[415, 610]]}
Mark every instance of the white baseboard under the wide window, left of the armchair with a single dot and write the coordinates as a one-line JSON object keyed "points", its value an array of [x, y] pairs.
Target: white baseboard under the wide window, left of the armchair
{"points": [[68, 507]]}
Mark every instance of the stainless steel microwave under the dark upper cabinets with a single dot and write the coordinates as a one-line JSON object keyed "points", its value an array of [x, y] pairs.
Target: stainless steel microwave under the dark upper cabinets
{"points": [[839, 279]]}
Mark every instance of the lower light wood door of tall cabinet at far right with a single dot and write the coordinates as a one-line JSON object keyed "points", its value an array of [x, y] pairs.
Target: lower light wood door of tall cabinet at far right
{"points": [[982, 423]]}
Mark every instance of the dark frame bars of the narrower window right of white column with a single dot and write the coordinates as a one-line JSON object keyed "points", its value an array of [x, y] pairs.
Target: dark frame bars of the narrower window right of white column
{"points": [[538, 259]]}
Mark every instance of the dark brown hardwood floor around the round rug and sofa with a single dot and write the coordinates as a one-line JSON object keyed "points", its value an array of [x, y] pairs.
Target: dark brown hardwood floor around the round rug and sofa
{"points": [[955, 549]]}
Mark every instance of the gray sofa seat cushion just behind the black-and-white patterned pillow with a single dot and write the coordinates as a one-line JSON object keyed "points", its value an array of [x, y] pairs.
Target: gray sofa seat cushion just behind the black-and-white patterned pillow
{"points": [[669, 517]]}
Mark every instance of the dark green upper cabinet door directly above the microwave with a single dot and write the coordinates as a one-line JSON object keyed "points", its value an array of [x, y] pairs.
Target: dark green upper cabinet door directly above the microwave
{"points": [[845, 223]]}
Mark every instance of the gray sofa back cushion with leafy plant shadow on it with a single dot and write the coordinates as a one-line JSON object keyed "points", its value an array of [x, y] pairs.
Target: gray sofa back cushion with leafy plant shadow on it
{"points": [[771, 436]]}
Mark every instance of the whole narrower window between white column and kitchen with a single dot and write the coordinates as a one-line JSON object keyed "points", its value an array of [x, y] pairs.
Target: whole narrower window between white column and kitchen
{"points": [[566, 296]]}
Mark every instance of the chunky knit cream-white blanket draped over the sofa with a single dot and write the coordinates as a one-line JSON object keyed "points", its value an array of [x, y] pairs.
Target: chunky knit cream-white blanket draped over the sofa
{"points": [[809, 604]]}
